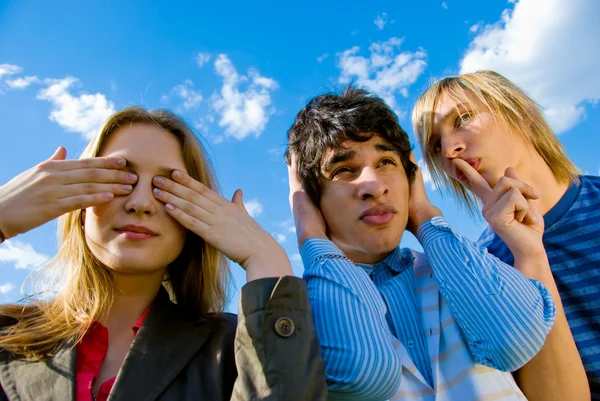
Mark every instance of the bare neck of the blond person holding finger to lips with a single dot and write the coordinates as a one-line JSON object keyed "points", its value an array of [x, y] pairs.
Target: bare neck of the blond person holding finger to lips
{"points": [[535, 172]]}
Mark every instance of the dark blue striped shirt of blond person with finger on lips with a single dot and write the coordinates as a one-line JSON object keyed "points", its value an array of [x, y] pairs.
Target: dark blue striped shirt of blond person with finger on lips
{"points": [[572, 242]]}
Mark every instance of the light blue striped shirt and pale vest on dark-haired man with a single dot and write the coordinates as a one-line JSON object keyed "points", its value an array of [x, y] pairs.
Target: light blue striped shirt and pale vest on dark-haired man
{"points": [[446, 326]]}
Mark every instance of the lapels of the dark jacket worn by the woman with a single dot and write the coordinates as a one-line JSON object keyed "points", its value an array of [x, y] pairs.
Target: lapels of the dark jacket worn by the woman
{"points": [[165, 343]]}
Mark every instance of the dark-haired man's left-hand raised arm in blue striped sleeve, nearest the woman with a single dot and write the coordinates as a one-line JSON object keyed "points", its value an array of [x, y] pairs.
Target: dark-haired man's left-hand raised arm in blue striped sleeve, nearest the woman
{"points": [[349, 313]]}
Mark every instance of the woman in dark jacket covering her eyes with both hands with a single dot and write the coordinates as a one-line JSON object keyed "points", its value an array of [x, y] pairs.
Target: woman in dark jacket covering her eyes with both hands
{"points": [[144, 236]]}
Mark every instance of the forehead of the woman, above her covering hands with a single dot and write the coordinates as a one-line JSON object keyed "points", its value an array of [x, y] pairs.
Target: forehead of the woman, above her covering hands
{"points": [[146, 145]]}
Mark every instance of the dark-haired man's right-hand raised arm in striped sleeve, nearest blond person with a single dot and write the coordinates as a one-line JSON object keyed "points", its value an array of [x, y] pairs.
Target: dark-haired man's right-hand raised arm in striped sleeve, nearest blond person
{"points": [[503, 315]]}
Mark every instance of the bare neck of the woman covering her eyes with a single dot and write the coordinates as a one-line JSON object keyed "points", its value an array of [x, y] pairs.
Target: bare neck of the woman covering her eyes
{"points": [[133, 296]]}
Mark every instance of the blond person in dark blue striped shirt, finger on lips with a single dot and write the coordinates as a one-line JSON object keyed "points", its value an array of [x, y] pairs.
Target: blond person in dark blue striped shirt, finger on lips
{"points": [[482, 137]]}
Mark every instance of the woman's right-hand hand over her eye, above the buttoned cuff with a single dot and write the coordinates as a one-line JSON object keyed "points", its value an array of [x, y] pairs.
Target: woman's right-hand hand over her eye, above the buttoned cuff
{"points": [[223, 224]]}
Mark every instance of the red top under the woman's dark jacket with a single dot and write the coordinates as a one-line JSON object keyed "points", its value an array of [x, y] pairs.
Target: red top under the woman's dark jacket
{"points": [[90, 353]]}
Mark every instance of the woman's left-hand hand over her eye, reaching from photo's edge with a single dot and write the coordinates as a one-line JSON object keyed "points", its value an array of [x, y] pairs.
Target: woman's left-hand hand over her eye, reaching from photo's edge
{"points": [[57, 186]]}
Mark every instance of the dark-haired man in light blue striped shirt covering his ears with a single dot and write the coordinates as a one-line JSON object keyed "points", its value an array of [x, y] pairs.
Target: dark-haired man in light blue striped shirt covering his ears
{"points": [[395, 323]]}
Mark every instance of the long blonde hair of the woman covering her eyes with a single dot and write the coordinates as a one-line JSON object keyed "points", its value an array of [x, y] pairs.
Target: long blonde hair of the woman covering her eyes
{"points": [[196, 280]]}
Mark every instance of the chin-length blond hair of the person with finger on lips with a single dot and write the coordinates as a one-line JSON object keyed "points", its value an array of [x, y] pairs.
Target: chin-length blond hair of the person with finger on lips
{"points": [[510, 107]]}
